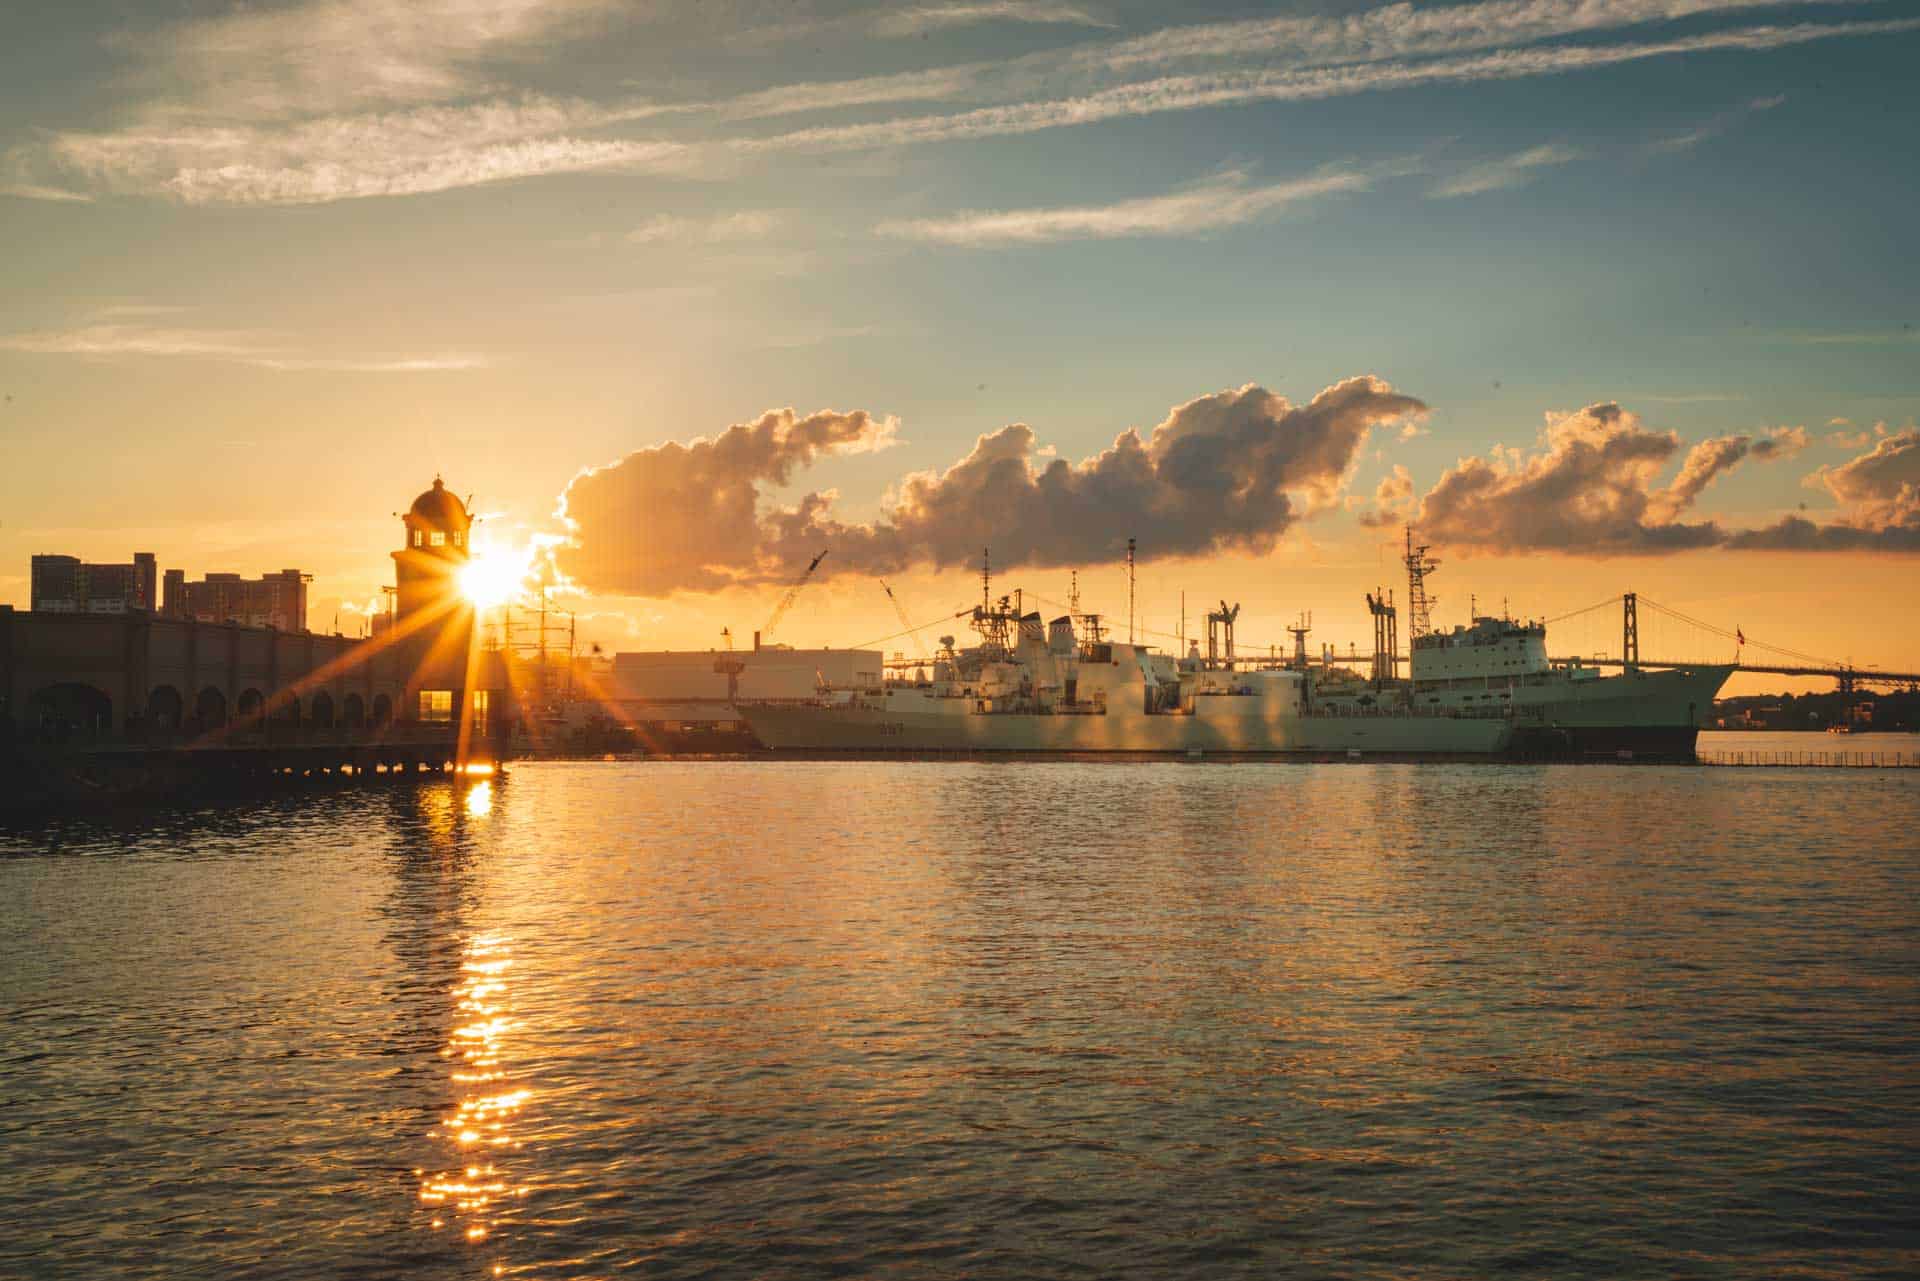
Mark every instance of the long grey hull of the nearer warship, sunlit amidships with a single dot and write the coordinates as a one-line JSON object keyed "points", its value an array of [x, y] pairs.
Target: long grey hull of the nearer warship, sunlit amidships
{"points": [[888, 731]]}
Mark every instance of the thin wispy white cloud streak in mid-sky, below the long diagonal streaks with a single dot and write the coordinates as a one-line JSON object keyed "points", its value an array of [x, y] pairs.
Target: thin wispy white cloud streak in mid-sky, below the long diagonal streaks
{"points": [[1228, 201]]}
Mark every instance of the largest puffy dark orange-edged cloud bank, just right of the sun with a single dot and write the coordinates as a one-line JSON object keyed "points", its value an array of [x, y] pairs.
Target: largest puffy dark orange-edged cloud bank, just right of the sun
{"points": [[1222, 473]]}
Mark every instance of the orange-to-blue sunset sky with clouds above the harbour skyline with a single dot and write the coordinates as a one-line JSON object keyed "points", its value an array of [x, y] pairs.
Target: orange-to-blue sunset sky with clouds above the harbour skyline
{"points": [[1606, 293]]}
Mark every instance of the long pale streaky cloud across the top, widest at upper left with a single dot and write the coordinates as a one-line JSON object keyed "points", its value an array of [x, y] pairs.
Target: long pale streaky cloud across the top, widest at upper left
{"points": [[362, 99]]}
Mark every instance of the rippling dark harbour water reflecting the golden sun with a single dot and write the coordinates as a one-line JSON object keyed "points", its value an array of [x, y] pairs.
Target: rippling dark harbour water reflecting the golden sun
{"points": [[936, 1021]]}
